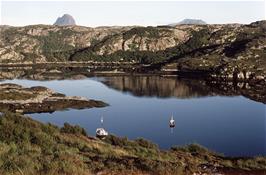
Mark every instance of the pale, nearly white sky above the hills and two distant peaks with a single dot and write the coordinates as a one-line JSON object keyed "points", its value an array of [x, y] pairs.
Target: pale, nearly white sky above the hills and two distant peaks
{"points": [[123, 13]]}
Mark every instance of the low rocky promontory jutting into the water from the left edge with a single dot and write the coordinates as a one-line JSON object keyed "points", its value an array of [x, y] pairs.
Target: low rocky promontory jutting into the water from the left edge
{"points": [[16, 98]]}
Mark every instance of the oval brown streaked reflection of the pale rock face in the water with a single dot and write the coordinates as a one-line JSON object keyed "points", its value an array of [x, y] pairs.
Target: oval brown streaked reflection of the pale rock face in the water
{"points": [[154, 86]]}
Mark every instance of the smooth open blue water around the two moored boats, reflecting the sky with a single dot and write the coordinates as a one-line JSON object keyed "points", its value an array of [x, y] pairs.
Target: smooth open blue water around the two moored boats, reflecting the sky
{"points": [[231, 125]]}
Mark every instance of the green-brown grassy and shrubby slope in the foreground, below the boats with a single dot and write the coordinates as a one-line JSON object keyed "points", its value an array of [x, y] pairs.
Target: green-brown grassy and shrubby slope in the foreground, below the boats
{"points": [[30, 147]]}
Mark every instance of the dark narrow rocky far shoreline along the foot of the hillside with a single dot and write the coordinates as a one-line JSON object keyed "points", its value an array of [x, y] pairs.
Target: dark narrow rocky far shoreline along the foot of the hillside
{"points": [[129, 68]]}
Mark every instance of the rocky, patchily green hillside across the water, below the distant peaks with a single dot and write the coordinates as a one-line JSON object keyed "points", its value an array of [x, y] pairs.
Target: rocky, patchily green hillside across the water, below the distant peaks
{"points": [[225, 49]]}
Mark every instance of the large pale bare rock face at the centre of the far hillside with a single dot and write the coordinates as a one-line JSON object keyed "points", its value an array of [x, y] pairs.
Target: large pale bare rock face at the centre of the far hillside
{"points": [[143, 39]]}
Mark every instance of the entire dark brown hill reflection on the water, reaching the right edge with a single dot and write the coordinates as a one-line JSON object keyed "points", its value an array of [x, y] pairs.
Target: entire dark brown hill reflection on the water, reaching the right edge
{"points": [[182, 88]]}
